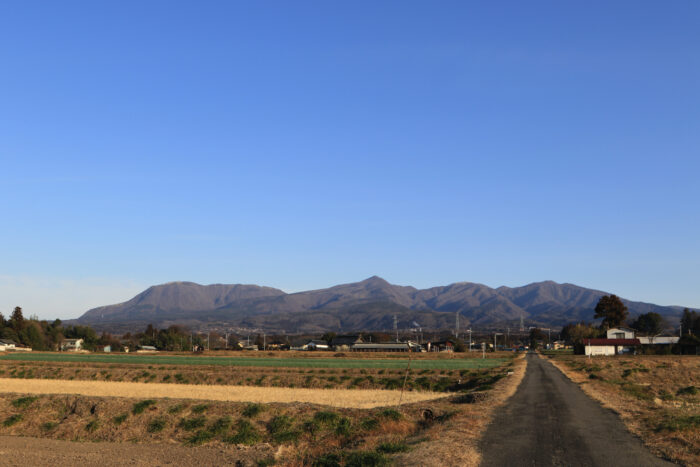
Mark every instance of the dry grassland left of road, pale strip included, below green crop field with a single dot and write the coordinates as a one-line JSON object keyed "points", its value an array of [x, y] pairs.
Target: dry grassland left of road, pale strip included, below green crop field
{"points": [[331, 423]]}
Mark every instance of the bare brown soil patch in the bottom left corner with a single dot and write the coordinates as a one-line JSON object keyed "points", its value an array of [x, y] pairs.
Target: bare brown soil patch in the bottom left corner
{"points": [[21, 452]]}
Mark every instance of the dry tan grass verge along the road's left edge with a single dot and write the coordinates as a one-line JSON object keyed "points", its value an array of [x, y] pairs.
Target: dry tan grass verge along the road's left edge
{"points": [[456, 441]]}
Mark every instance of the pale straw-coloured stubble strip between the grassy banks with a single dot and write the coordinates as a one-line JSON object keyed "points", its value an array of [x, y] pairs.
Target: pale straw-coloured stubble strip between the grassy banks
{"points": [[351, 398]]}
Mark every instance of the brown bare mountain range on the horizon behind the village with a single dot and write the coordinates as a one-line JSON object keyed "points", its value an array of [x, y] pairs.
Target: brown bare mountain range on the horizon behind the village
{"points": [[367, 305]]}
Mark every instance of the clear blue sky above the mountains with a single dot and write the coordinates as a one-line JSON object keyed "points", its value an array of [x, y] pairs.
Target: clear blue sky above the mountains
{"points": [[304, 144]]}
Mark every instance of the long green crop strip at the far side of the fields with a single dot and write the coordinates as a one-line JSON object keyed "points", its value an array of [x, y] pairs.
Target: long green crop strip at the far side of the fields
{"points": [[299, 360]]}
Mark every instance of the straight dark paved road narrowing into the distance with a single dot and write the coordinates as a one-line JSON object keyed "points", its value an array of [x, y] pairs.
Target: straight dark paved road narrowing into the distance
{"points": [[550, 421]]}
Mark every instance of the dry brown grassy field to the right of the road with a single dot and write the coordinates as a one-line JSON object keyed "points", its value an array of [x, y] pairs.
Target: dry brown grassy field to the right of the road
{"points": [[657, 397]]}
